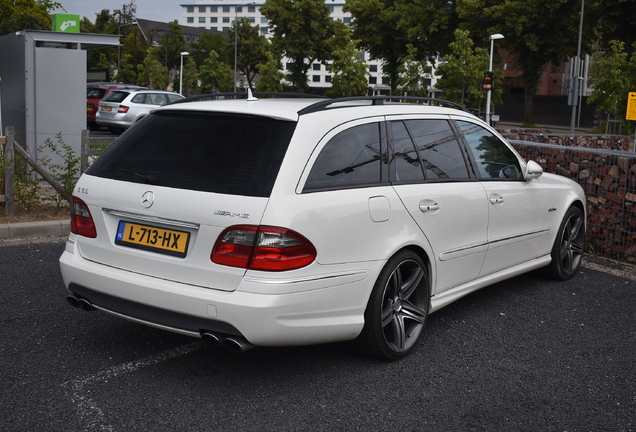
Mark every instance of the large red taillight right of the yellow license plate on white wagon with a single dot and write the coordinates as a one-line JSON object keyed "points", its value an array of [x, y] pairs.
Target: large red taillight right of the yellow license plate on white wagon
{"points": [[263, 248]]}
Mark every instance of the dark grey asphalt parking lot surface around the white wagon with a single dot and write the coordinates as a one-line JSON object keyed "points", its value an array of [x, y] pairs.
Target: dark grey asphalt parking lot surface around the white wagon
{"points": [[527, 354]]}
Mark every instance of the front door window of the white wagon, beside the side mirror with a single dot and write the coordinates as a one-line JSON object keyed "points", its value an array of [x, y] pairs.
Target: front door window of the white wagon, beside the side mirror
{"points": [[493, 157]]}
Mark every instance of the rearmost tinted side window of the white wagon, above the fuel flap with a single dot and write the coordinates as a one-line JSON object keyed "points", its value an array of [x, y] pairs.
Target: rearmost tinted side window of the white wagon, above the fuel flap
{"points": [[351, 158]]}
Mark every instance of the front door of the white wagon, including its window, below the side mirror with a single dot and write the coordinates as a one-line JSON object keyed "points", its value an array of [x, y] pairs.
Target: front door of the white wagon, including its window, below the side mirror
{"points": [[516, 225]]}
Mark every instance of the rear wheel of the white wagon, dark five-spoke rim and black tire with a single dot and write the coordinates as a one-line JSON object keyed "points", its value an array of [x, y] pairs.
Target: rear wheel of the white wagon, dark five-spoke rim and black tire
{"points": [[397, 309]]}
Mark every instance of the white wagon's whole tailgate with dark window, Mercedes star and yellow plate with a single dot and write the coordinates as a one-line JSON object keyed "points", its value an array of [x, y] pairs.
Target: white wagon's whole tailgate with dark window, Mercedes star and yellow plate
{"points": [[163, 192]]}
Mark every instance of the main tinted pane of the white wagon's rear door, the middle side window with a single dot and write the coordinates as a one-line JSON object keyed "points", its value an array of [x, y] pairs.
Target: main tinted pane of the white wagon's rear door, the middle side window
{"points": [[440, 152]]}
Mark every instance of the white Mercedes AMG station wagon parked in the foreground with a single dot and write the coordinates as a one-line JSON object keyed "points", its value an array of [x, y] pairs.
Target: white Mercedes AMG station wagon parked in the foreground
{"points": [[296, 221]]}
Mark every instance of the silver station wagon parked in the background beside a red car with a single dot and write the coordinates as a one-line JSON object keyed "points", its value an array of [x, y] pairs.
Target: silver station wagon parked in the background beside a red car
{"points": [[121, 109]]}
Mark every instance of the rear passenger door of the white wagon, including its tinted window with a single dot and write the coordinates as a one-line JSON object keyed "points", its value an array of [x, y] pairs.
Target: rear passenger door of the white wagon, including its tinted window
{"points": [[432, 178]]}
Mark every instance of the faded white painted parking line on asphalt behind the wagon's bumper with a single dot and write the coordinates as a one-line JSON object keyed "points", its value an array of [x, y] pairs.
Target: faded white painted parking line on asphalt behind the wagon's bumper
{"points": [[91, 416]]}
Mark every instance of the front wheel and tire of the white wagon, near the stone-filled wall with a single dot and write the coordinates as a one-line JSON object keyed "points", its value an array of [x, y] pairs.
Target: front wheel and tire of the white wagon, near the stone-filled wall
{"points": [[569, 245]]}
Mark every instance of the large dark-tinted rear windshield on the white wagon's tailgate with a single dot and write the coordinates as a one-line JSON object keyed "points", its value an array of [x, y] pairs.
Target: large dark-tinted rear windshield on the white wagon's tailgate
{"points": [[210, 152]]}
